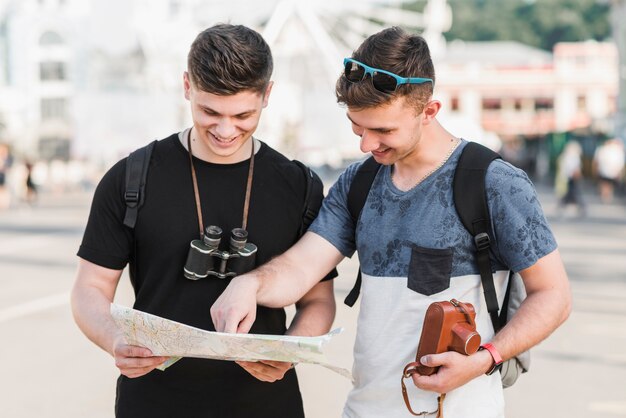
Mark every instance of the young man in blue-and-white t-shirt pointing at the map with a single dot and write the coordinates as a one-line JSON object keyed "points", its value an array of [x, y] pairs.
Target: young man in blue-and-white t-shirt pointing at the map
{"points": [[412, 246]]}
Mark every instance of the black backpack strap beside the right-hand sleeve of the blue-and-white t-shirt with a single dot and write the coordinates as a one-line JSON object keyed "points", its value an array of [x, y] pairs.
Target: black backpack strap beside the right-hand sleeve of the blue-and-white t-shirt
{"points": [[470, 201]]}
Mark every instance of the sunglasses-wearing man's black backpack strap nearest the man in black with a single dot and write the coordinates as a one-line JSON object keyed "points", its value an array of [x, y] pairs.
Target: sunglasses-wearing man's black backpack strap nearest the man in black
{"points": [[357, 195]]}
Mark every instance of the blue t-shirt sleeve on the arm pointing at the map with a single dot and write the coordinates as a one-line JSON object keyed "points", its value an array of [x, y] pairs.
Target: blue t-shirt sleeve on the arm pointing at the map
{"points": [[334, 223]]}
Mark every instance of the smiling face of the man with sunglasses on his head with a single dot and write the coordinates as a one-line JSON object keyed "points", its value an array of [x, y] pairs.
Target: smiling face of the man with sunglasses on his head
{"points": [[391, 132]]}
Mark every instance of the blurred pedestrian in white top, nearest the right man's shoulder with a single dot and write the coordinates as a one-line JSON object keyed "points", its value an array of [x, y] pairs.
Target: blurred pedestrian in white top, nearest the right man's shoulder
{"points": [[569, 176]]}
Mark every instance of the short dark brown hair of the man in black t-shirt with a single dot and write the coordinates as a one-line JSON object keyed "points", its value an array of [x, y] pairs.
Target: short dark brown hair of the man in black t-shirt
{"points": [[227, 59]]}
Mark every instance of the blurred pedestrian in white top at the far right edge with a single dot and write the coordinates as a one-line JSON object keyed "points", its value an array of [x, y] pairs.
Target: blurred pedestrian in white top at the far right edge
{"points": [[608, 164]]}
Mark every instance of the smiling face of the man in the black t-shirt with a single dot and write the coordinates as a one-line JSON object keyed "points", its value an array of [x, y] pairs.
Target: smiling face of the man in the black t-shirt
{"points": [[223, 125]]}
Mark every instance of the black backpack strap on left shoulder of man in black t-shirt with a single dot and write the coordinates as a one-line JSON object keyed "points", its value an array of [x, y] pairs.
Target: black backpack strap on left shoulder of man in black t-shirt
{"points": [[136, 173]]}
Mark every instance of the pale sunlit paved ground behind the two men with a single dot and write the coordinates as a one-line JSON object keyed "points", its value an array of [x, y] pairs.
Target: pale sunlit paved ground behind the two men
{"points": [[49, 369]]}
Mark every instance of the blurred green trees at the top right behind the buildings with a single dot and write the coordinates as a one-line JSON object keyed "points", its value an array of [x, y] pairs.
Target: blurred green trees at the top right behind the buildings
{"points": [[539, 23]]}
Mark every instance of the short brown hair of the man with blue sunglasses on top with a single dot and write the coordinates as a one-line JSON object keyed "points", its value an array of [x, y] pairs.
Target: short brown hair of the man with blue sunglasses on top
{"points": [[395, 50]]}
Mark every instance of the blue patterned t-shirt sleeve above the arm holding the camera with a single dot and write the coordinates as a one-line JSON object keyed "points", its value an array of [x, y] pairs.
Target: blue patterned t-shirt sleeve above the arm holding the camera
{"points": [[522, 233]]}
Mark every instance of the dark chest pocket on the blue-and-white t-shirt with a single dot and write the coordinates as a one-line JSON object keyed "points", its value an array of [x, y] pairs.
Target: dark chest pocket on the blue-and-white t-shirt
{"points": [[429, 270]]}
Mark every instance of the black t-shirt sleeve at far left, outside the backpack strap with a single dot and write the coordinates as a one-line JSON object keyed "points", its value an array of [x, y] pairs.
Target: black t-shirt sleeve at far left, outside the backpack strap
{"points": [[106, 241]]}
